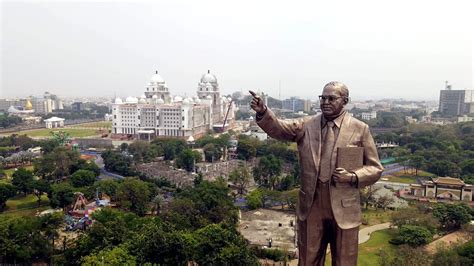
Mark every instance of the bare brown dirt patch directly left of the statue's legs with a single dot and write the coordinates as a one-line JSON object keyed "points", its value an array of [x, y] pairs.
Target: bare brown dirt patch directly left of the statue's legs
{"points": [[259, 226]]}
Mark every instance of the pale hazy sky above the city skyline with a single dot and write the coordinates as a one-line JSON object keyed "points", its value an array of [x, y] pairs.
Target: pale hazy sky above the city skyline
{"points": [[380, 49]]}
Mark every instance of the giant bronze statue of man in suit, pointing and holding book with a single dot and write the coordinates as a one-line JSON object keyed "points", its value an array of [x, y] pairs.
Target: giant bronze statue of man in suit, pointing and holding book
{"points": [[329, 203]]}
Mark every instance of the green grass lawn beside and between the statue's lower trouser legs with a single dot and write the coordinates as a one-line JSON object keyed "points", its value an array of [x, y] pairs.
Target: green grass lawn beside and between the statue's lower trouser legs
{"points": [[368, 251]]}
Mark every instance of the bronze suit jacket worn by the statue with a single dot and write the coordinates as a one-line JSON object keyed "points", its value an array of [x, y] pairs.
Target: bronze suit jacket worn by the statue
{"points": [[345, 198]]}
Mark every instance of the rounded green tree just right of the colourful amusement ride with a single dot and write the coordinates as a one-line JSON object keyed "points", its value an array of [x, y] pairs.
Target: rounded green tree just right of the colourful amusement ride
{"points": [[134, 195]]}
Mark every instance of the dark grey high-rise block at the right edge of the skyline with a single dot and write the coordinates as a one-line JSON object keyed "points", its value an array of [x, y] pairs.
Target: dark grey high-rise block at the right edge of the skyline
{"points": [[456, 102]]}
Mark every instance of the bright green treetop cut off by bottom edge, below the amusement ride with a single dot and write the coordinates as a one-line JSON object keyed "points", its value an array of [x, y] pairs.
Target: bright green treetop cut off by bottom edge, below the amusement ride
{"points": [[115, 256]]}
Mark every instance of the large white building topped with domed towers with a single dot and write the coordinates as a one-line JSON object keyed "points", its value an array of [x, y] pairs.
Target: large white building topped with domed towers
{"points": [[157, 114]]}
